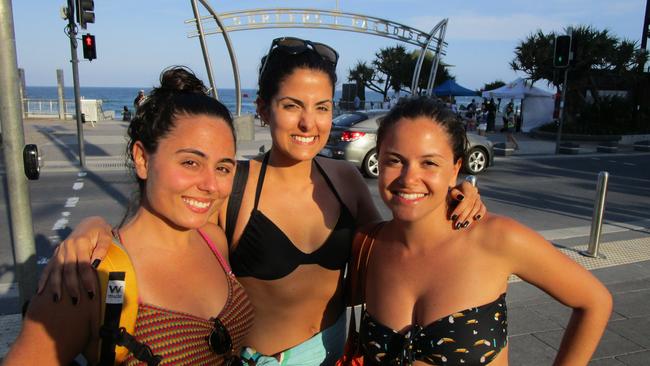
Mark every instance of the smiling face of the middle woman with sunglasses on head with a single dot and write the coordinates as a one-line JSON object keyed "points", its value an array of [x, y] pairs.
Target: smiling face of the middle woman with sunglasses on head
{"points": [[300, 114]]}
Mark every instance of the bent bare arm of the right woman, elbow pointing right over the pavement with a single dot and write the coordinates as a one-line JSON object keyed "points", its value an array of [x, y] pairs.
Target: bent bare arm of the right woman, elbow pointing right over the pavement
{"points": [[536, 261]]}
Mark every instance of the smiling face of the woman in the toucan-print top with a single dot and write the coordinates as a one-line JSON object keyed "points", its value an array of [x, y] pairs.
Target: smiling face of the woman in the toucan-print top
{"points": [[416, 169]]}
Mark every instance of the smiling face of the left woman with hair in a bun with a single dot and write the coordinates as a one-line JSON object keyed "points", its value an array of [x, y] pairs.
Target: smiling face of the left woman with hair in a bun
{"points": [[190, 174]]}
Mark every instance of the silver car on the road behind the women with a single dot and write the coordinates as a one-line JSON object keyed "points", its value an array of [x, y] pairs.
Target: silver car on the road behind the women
{"points": [[354, 138]]}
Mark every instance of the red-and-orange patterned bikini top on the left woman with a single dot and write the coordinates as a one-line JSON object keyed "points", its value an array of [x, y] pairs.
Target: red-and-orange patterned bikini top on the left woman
{"points": [[181, 338]]}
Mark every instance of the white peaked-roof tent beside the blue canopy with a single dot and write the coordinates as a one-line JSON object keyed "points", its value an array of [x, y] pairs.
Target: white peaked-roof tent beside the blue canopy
{"points": [[536, 104]]}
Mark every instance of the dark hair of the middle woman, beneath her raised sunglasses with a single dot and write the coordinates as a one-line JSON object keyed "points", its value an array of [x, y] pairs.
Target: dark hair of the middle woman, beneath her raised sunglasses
{"points": [[281, 64]]}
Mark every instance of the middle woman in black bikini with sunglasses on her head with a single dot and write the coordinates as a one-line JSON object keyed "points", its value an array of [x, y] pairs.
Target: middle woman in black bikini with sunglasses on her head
{"points": [[290, 228]]}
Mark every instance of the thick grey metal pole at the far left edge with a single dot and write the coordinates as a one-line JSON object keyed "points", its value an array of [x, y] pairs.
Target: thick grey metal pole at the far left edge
{"points": [[20, 211]]}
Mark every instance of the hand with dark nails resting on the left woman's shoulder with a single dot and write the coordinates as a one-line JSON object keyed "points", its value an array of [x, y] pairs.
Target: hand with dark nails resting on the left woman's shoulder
{"points": [[74, 261]]}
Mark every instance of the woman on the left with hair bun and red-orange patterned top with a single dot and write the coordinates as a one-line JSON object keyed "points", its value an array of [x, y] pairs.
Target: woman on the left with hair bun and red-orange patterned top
{"points": [[182, 147]]}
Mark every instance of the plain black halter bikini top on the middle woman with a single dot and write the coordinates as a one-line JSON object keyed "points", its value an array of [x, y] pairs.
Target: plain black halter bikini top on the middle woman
{"points": [[265, 252]]}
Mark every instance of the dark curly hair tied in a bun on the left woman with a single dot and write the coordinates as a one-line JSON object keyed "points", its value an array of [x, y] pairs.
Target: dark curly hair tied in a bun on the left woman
{"points": [[180, 93]]}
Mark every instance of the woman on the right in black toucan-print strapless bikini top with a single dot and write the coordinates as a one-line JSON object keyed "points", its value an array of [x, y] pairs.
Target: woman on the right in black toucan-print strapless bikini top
{"points": [[436, 295]]}
